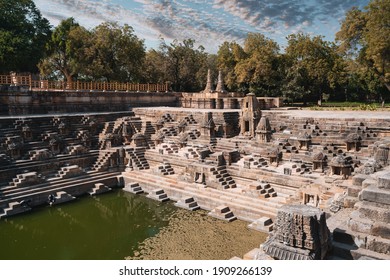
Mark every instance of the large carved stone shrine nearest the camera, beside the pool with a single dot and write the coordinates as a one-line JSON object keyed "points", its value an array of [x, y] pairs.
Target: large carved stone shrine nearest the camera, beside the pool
{"points": [[300, 233]]}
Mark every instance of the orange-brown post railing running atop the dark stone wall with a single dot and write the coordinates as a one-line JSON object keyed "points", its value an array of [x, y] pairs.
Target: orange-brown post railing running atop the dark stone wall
{"points": [[80, 86]]}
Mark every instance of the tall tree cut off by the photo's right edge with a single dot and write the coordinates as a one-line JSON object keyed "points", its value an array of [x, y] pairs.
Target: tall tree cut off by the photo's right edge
{"points": [[364, 35]]}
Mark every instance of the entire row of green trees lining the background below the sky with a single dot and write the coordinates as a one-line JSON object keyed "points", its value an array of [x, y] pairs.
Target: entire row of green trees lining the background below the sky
{"points": [[354, 67]]}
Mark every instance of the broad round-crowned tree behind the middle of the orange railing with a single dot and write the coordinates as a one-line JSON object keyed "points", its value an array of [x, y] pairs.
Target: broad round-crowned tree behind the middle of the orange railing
{"points": [[114, 53]]}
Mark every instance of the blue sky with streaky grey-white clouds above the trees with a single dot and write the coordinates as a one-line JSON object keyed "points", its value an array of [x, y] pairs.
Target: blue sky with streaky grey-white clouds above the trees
{"points": [[209, 23]]}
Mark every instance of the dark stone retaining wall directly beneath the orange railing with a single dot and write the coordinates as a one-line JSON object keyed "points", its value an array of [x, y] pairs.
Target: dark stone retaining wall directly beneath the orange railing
{"points": [[19, 101]]}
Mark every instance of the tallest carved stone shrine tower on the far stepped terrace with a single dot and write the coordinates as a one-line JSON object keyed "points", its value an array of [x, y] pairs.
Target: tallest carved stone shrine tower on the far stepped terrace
{"points": [[250, 115]]}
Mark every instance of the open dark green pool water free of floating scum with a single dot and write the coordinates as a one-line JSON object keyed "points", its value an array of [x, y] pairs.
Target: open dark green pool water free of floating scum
{"points": [[109, 226]]}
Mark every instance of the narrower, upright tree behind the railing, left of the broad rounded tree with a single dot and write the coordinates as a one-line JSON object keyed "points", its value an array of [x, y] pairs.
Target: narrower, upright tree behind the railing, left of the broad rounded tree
{"points": [[64, 50]]}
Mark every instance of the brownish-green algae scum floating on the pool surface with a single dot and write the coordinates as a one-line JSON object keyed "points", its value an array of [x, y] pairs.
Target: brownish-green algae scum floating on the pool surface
{"points": [[196, 236]]}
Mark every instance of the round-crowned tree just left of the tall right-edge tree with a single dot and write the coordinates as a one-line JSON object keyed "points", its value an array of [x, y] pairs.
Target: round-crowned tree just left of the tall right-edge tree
{"points": [[313, 67]]}
